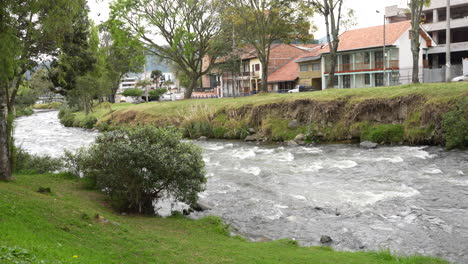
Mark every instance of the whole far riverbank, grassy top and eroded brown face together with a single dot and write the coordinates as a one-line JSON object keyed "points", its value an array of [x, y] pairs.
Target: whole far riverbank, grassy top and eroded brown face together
{"points": [[411, 114]]}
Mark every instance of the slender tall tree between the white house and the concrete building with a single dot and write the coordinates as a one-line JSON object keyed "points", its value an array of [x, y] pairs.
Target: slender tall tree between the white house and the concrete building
{"points": [[416, 7]]}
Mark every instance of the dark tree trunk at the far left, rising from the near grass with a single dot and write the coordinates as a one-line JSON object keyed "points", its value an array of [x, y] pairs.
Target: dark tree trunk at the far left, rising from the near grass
{"points": [[5, 157]]}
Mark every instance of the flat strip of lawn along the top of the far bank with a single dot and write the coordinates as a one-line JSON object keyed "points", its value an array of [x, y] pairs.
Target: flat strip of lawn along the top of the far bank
{"points": [[438, 92]]}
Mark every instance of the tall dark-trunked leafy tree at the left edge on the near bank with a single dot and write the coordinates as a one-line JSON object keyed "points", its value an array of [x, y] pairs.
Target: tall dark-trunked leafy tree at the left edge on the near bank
{"points": [[30, 29]]}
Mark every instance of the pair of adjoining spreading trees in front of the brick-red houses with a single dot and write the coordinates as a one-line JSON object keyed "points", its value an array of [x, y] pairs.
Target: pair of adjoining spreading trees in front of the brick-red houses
{"points": [[187, 31]]}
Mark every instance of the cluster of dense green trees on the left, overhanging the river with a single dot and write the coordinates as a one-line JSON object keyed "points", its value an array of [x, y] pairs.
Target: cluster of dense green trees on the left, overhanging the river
{"points": [[87, 61]]}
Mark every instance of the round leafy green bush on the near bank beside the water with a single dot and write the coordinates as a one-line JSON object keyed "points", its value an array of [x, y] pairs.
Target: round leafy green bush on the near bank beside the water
{"points": [[138, 166]]}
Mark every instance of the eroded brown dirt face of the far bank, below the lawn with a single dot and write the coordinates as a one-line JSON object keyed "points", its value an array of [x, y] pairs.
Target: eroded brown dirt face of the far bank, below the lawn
{"points": [[411, 119]]}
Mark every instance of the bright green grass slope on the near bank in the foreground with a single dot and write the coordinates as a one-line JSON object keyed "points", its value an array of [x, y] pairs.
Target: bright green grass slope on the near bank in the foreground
{"points": [[60, 228]]}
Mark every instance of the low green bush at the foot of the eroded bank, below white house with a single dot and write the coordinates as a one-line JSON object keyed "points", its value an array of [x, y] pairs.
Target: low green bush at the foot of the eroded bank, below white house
{"points": [[385, 133]]}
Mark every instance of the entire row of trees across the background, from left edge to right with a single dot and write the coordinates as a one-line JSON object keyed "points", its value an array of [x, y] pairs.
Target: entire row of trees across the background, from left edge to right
{"points": [[90, 61]]}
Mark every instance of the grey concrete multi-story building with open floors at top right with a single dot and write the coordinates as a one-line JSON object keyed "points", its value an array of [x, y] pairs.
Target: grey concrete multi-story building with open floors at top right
{"points": [[435, 23]]}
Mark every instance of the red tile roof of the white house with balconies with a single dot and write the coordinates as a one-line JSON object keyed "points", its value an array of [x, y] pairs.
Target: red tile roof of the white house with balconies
{"points": [[371, 37]]}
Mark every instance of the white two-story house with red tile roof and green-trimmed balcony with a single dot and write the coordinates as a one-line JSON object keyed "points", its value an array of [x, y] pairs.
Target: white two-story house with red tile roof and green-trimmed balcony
{"points": [[361, 61]]}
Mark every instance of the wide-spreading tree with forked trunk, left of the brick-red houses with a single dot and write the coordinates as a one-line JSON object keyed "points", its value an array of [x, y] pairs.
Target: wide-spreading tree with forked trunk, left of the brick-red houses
{"points": [[187, 28]]}
